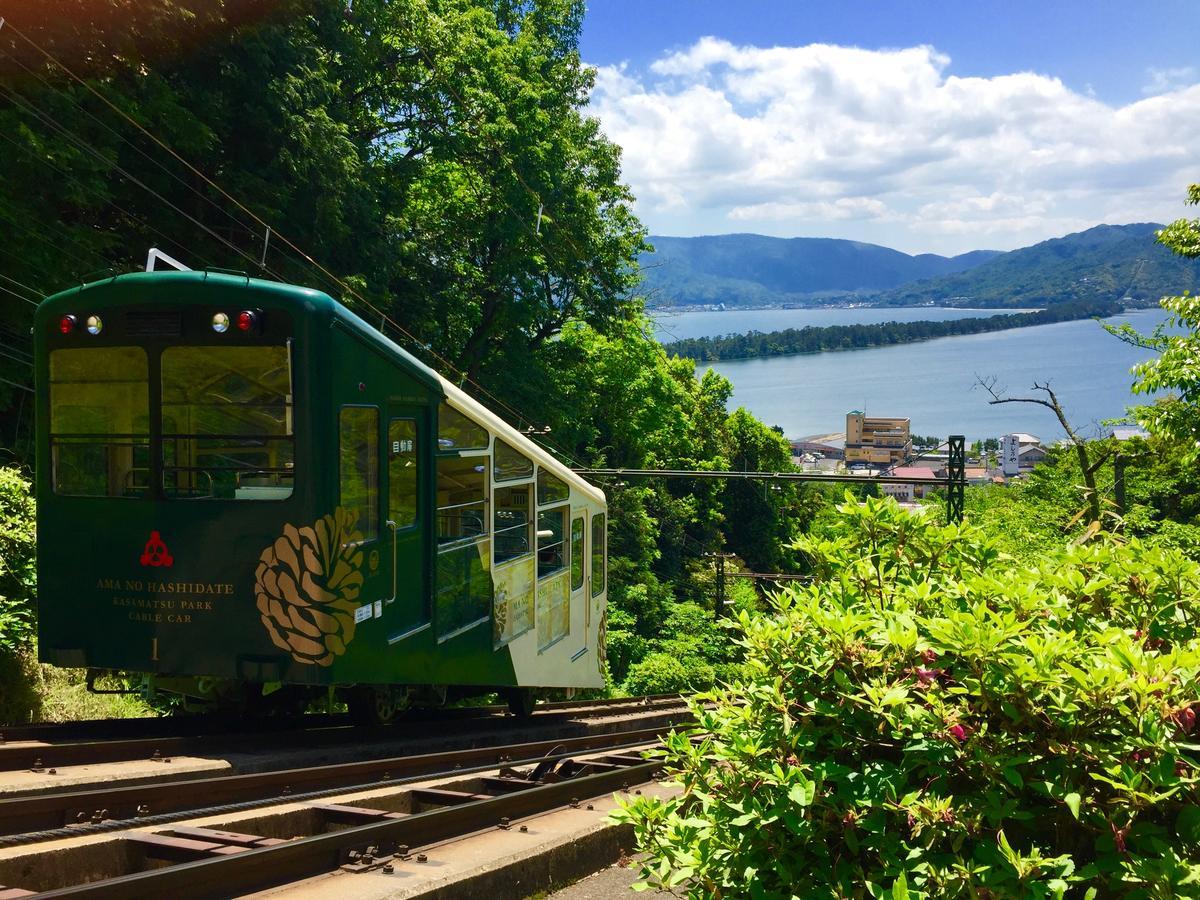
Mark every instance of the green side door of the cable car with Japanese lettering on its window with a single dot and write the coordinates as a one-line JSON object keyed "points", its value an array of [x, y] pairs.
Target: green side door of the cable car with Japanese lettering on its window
{"points": [[407, 445]]}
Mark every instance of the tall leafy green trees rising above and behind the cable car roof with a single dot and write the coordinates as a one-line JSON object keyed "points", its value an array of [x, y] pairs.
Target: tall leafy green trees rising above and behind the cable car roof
{"points": [[433, 155]]}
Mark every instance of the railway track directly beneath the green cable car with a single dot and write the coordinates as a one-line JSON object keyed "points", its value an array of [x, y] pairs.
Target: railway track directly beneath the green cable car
{"points": [[46, 748]]}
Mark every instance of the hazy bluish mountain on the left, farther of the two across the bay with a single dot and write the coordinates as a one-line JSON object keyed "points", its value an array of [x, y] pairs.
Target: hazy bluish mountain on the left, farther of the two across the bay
{"points": [[752, 269]]}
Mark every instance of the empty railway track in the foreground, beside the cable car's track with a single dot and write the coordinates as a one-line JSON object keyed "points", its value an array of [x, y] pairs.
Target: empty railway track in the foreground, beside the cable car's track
{"points": [[136, 841]]}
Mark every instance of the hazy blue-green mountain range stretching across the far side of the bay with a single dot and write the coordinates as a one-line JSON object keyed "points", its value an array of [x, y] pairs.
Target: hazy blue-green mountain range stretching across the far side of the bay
{"points": [[1103, 263]]}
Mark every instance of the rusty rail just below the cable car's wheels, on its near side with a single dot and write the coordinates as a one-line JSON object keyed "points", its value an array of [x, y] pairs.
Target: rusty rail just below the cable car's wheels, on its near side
{"points": [[19, 755]]}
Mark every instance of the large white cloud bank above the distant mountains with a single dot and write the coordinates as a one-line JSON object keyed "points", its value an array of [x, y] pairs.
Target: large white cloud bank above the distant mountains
{"points": [[890, 146]]}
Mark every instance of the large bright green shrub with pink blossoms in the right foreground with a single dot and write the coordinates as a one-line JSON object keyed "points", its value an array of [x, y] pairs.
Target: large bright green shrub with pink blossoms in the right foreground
{"points": [[932, 719]]}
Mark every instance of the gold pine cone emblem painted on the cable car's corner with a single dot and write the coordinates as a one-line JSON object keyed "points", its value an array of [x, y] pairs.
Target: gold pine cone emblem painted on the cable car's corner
{"points": [[308, 585]]}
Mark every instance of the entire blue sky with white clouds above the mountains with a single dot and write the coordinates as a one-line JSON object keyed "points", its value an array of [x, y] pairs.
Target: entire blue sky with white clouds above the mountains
{"points": [[927, 127]]}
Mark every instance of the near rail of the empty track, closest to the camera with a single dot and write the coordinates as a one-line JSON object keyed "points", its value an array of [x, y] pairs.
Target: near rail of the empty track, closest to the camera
{"points": [[269, 867]]}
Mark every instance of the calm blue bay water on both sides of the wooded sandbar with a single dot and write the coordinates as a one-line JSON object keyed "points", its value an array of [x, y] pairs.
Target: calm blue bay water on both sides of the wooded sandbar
{"points": [[934, 382]]}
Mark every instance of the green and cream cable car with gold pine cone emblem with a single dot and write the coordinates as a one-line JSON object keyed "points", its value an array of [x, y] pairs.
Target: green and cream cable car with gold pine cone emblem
{"points": [[253, 497]]}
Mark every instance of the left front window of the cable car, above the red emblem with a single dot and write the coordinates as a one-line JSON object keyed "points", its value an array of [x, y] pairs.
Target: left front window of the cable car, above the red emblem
{"points": [[100, 422]]}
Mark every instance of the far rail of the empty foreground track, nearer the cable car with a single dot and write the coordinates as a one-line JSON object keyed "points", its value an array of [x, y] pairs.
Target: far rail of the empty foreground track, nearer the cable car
{"points": [[49, 812]]}
